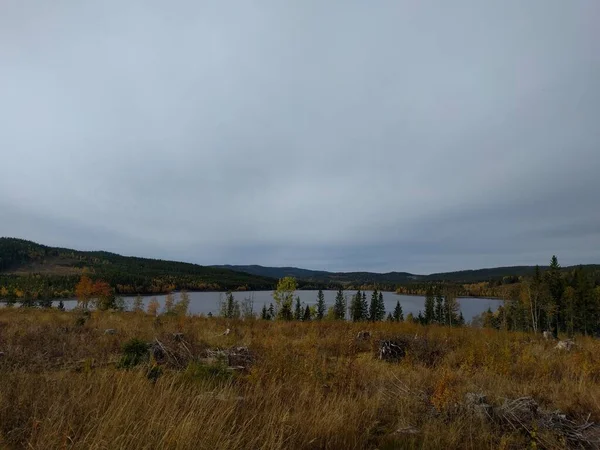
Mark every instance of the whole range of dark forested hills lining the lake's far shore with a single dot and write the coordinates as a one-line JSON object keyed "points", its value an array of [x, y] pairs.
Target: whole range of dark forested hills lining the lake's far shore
{"points": [[26, 265]]}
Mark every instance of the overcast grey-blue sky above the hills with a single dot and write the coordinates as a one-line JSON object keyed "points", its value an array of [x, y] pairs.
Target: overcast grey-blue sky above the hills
{"points": [[341, 135]]}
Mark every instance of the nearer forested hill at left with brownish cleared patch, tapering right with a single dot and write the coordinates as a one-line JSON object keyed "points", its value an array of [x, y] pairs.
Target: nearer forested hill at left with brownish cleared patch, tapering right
{"points": [[31, 266]]}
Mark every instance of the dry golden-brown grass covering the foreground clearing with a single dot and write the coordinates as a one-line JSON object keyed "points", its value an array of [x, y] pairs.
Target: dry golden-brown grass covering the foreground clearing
{"points": [[311, 385]]}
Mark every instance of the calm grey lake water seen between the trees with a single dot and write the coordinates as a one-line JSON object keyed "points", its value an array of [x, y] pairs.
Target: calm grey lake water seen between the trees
{"points": [[205, 302]]}
